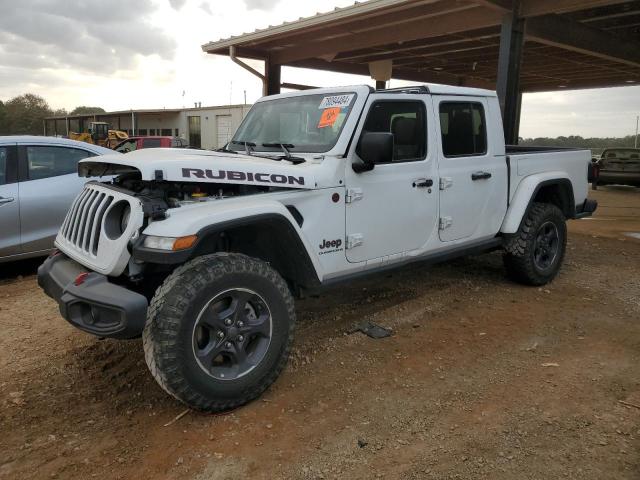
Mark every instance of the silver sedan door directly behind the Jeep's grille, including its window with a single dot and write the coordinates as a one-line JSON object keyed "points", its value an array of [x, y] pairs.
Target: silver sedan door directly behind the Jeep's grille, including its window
{"points": [[48, 184]]}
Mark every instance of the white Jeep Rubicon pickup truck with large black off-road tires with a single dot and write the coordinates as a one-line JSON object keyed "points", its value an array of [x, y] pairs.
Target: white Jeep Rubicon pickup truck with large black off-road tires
{"points": [[202, 252]]}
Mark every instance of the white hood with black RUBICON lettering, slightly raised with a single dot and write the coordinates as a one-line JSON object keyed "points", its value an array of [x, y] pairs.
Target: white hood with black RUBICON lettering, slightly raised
{"points": [[178, 165]]}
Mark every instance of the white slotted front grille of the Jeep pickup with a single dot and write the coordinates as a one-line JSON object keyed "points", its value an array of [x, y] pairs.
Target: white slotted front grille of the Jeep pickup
{"points": [[81, 227]]}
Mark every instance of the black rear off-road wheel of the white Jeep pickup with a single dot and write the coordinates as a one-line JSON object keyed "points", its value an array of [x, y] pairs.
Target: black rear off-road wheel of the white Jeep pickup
{"points": [[534, 254]]}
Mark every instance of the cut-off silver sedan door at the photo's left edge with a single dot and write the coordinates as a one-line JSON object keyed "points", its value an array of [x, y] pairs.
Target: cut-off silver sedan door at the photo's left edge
{"points": [[9, 202]]}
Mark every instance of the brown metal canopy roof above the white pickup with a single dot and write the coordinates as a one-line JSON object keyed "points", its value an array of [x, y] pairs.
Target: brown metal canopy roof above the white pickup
{"points": [[568, 43]]}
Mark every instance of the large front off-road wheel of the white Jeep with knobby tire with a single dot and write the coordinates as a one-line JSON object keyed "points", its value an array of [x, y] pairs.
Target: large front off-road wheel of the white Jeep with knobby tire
{"points": [[219, 331]]}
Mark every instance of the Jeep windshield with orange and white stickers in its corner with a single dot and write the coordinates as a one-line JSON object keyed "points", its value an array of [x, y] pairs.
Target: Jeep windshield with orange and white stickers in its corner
{"points": [[309, 123]]}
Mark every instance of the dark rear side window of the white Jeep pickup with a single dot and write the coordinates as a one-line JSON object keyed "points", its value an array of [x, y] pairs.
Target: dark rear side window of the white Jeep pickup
{"points": [[463, 129]]}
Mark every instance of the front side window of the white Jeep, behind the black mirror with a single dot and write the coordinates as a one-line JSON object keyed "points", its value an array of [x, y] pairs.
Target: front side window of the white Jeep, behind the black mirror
{"points": [[406, 120]]}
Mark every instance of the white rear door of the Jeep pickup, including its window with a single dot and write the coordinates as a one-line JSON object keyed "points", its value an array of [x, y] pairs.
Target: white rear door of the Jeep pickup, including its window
{"points": [[473, 174]]}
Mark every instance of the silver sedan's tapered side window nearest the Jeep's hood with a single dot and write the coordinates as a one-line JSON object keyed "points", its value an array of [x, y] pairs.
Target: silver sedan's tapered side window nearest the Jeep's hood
{"points": [[45, 162]]}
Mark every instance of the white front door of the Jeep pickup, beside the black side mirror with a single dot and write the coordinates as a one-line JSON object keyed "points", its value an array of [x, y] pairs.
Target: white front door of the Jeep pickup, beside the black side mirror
{"points": [[392, 209]]}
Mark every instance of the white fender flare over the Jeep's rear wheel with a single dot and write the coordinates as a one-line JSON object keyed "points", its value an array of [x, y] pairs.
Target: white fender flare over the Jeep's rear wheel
{"points": [[556, 190]]}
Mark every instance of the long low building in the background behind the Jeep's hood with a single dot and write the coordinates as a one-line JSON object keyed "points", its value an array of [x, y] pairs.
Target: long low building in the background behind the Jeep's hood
{"points": [[203, 127]]}
